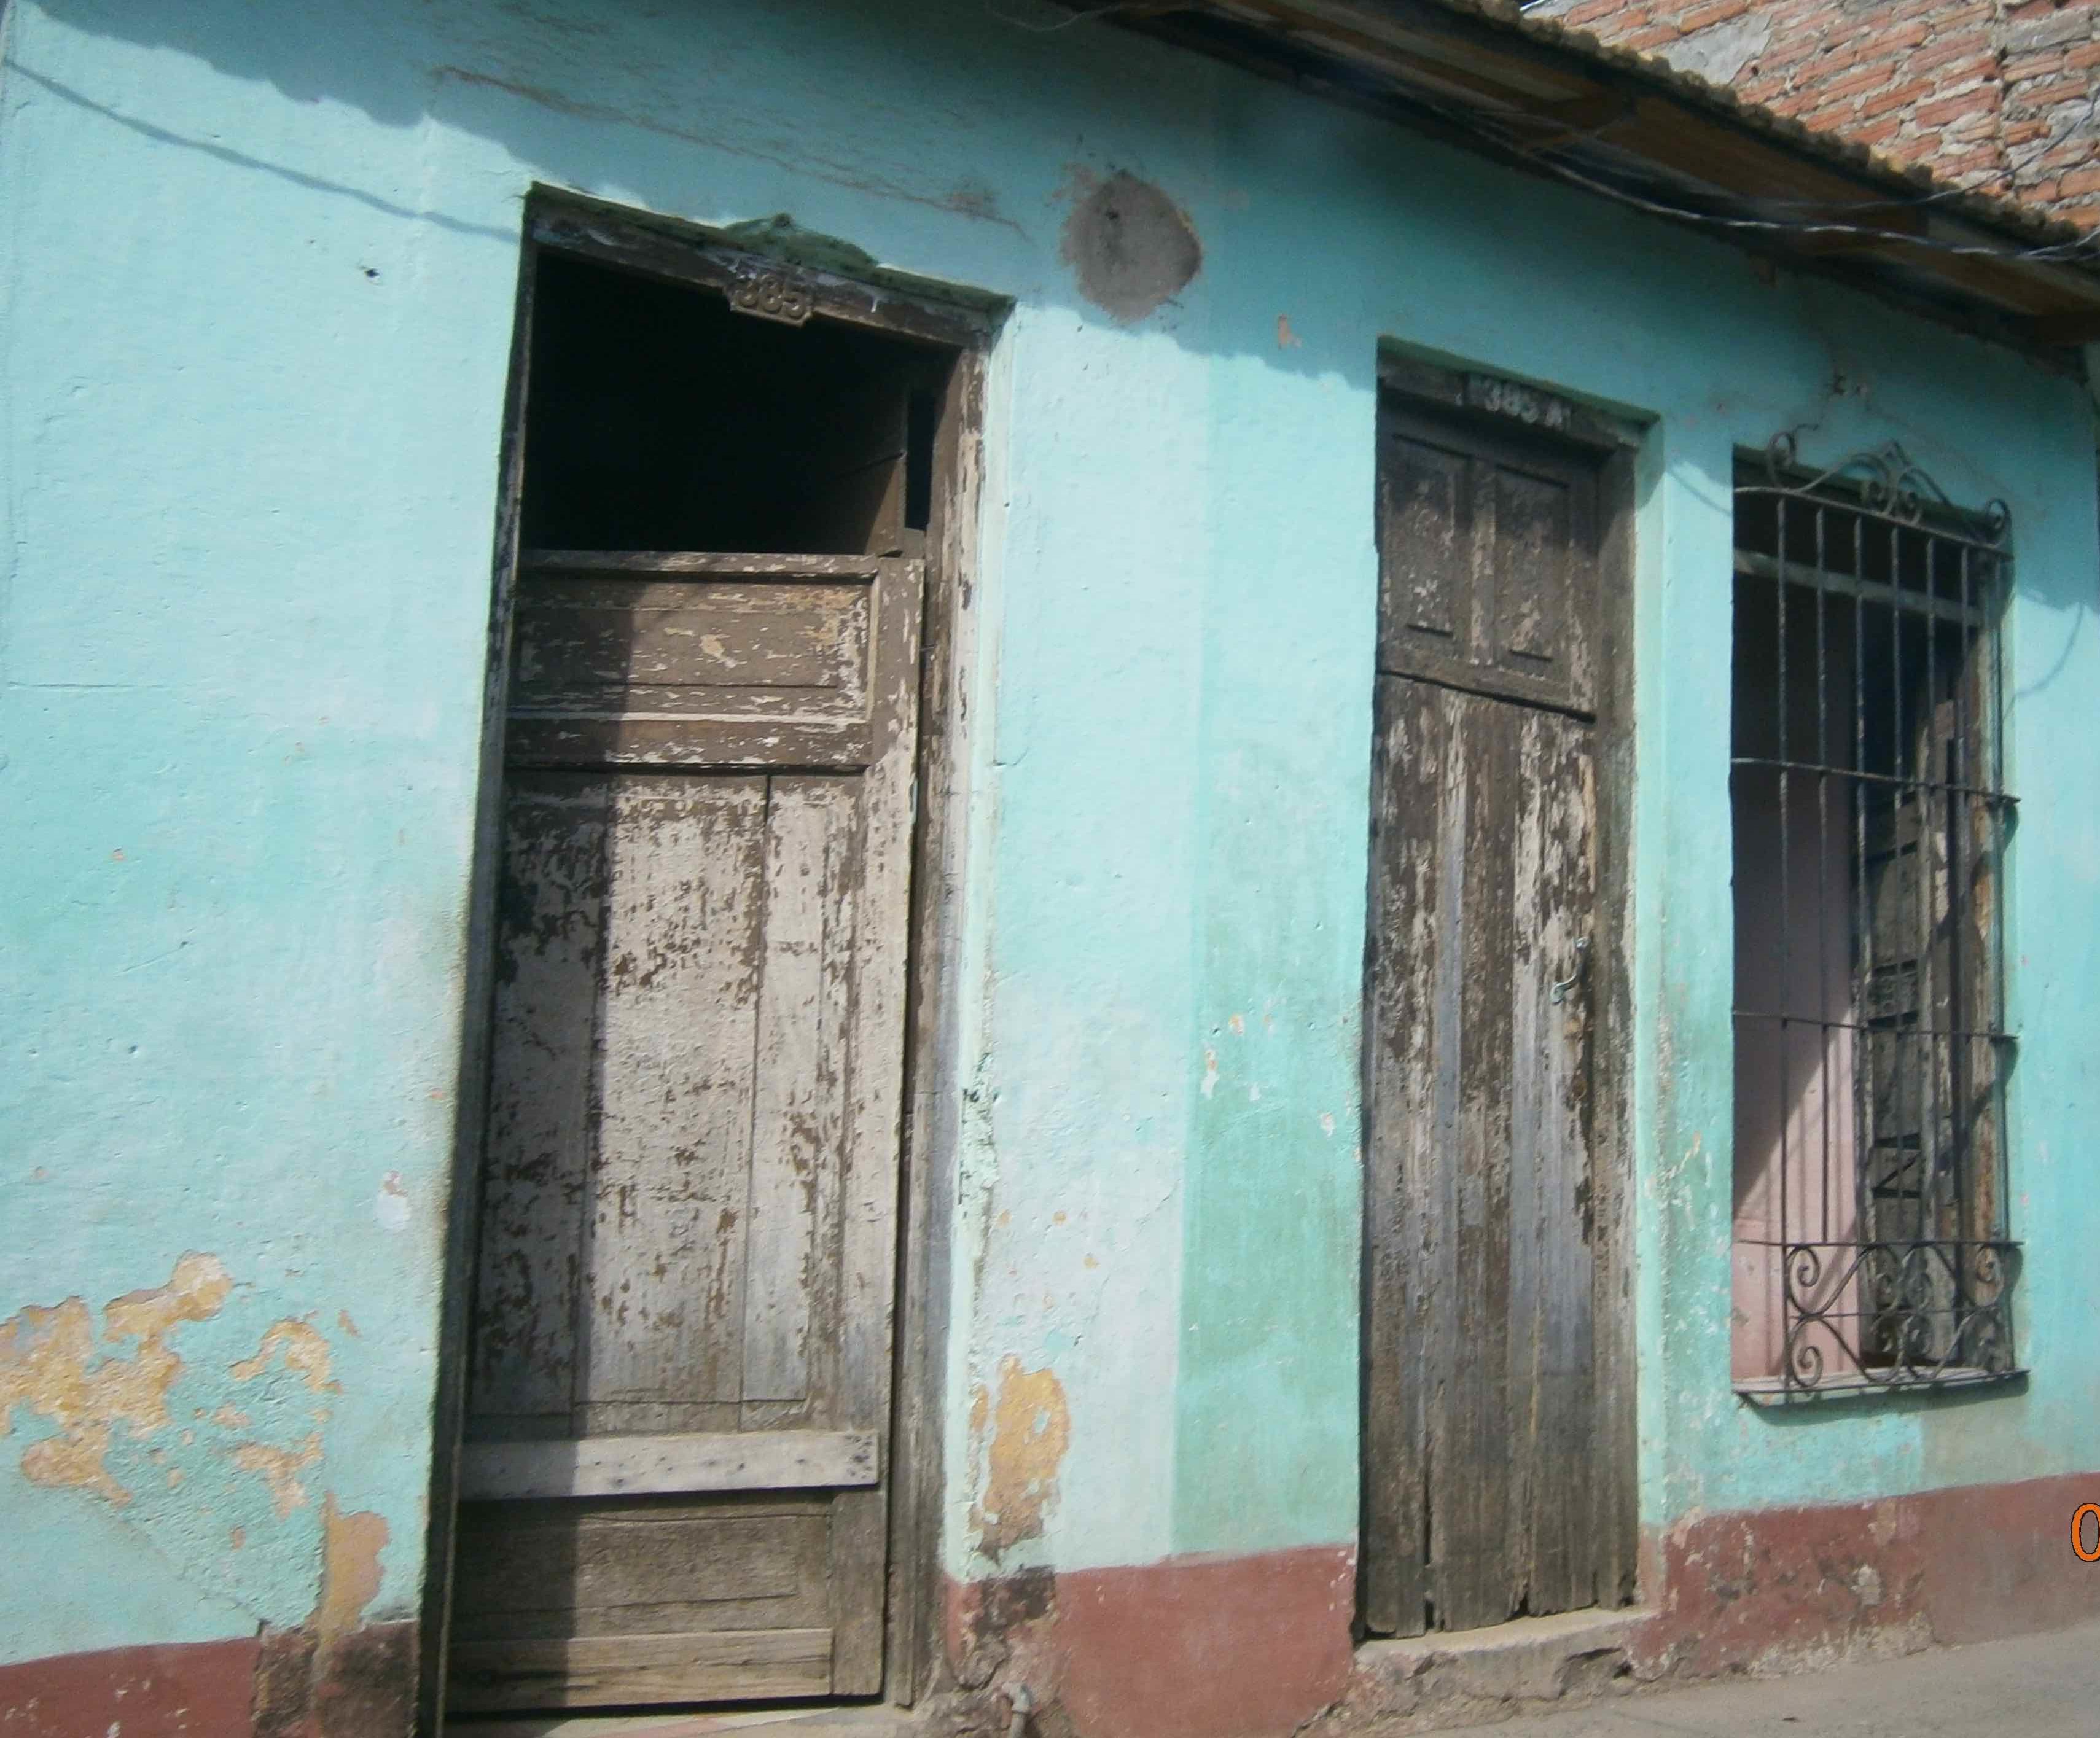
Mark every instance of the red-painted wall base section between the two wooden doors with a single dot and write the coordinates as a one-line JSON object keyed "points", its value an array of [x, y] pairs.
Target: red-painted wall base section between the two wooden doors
{"points": [[1188, 1649]]}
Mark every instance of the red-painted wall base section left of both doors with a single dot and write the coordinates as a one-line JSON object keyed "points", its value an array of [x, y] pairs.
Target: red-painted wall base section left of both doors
{"points": [[253, 1687]]}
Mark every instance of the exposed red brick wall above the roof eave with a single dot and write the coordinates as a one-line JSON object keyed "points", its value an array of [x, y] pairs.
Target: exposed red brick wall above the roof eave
{"points": [[2000, 96]]}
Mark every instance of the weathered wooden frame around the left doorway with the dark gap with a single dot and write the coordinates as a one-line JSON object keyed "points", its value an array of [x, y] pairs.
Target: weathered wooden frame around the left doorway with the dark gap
{"points": [[770, 284]]}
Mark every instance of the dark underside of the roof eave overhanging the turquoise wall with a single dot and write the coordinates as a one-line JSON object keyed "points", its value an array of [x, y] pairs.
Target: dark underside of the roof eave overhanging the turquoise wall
{"points": [[1631, 129]]}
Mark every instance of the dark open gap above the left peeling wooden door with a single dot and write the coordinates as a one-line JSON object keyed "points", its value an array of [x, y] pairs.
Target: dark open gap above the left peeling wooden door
{"points": [[665, 421]]}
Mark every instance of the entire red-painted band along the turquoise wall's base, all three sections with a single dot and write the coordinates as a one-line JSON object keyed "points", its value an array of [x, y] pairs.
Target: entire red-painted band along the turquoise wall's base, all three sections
{"points": [[1227, 1649]]}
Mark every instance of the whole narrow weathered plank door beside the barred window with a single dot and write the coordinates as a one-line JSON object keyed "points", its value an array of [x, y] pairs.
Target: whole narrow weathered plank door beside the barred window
{"points": [[1492, 1405]]}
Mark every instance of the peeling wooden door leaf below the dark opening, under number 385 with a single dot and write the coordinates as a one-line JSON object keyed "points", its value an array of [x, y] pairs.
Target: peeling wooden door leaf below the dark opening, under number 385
{"points": [[673, 1485]]}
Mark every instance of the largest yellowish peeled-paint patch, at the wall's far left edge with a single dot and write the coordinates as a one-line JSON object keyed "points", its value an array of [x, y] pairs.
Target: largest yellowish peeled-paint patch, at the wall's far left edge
{"points": [[49, 1365]]}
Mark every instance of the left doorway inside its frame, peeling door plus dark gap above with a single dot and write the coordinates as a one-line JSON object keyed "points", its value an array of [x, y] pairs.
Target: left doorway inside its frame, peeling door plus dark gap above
{"points": [[675, 1470]]}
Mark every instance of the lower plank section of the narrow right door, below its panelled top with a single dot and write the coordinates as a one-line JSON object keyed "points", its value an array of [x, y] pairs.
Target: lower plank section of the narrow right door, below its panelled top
{"points": [[1482, 1351]]}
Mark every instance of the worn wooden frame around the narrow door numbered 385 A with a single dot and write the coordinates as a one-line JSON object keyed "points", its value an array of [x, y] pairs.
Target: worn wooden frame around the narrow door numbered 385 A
{"points": [[1513, 406]]}
